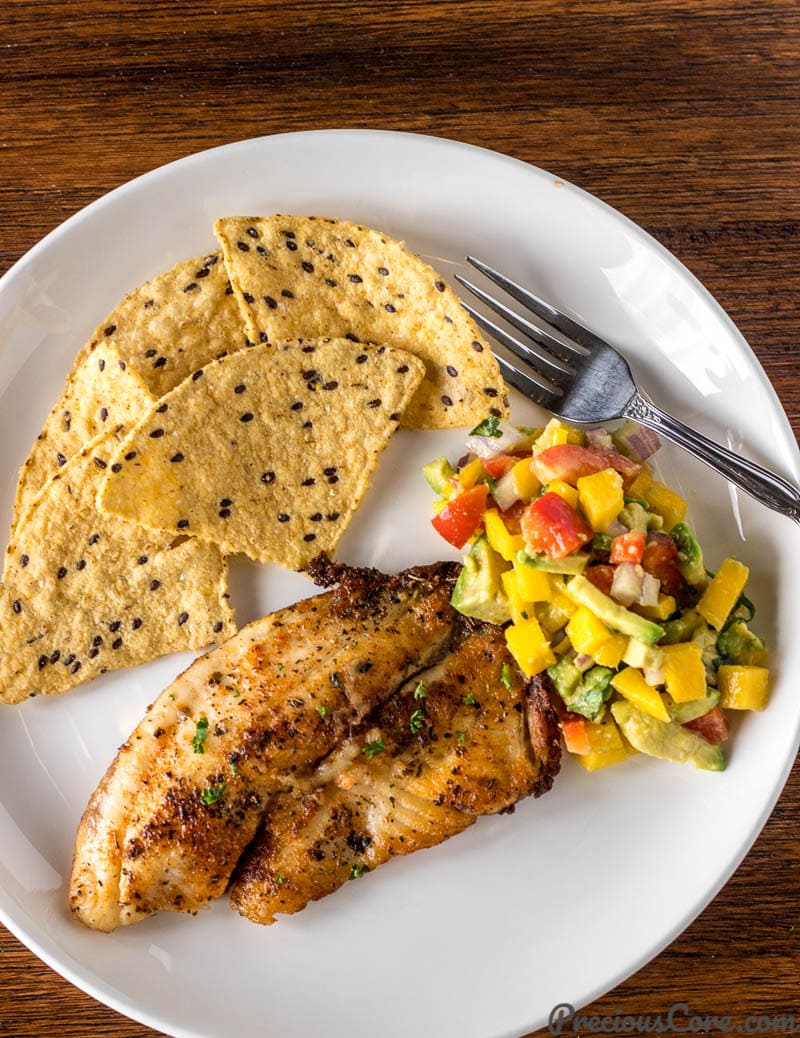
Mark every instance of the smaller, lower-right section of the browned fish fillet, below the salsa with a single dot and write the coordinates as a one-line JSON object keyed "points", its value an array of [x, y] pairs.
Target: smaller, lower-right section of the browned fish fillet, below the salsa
{"points": [[461, 746]]}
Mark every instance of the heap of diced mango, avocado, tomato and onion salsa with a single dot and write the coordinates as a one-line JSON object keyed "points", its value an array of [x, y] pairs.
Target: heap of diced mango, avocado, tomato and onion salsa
{"points": [[590, 564]]}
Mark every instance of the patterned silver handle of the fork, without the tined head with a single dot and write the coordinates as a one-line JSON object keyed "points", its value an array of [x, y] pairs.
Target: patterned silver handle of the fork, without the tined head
{"points": [[765, 486]]}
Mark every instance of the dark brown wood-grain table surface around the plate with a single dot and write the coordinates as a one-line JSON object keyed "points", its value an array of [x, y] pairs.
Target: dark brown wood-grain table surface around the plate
{"points": [[684, 116]]}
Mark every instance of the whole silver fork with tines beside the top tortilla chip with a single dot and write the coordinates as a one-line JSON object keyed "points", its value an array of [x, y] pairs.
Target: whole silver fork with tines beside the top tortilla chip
{"points": [[583, 379]]}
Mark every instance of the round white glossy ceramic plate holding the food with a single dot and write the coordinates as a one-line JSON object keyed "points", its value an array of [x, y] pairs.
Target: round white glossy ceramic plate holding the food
{"points": [[562, 902]]}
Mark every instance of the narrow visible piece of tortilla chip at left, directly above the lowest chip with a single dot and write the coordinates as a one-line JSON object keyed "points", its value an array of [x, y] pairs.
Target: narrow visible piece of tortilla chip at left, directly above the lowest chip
{"points": [[101, 394]]}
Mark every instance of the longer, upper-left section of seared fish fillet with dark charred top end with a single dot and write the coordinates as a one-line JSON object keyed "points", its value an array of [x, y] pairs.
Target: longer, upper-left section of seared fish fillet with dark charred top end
{"points": [[189, 789]]}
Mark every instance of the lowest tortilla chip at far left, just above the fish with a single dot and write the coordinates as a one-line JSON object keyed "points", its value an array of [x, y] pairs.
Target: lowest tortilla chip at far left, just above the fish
{"points": [[88, 593]]}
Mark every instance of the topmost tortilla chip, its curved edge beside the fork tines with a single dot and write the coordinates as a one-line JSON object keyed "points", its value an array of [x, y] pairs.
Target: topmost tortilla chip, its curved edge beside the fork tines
{"points": [[310, 277]]}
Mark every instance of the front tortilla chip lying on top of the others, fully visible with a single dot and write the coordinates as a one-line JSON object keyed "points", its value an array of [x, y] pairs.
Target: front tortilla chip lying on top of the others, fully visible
{"points": [[267, 452]]}
